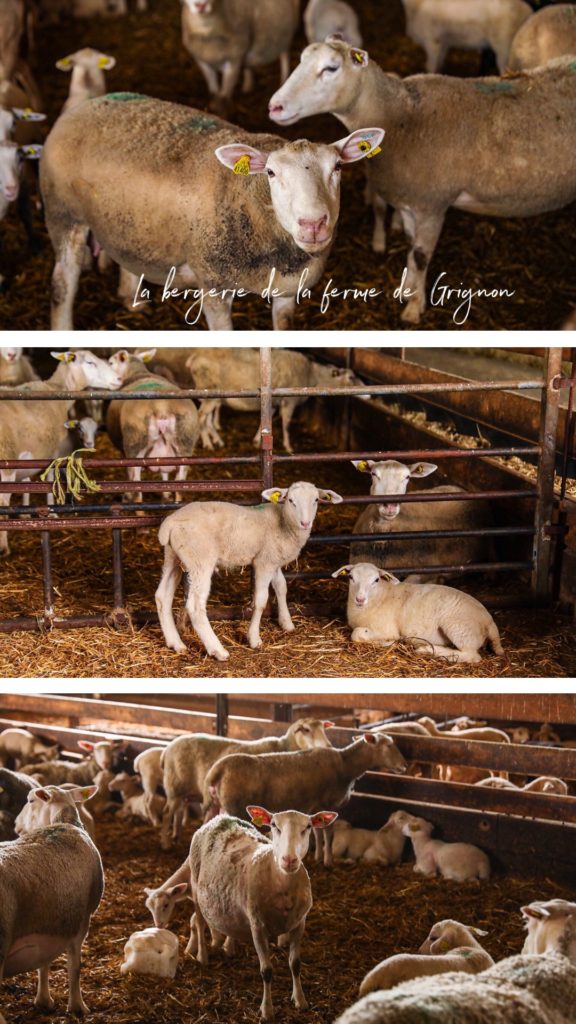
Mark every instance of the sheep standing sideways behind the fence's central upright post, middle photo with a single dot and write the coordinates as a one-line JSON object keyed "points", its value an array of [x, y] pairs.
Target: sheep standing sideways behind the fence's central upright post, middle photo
{"points": [[213, 369]]}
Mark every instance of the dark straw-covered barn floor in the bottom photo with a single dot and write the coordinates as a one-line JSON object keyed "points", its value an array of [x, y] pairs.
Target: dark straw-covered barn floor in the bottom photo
{"points": [[360, 916]]}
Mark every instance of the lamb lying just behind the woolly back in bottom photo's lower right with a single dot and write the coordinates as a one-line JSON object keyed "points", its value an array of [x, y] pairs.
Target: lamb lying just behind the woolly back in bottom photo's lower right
{"points": [[450, 947]]}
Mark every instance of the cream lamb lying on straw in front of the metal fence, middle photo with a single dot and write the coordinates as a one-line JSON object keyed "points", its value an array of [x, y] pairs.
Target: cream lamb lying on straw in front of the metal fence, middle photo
{"points": [[381, 610]]}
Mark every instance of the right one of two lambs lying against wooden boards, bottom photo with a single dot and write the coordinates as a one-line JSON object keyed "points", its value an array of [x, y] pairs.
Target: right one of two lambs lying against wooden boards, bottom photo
{"points": [[459, 862]]}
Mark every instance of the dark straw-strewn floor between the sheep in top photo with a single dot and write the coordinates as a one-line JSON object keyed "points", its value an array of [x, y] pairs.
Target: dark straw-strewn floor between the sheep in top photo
{"points": [[534, 259]]}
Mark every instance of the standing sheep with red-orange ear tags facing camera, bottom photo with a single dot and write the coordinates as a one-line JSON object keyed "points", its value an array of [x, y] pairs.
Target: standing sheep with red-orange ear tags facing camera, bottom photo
{"points": [[251, 888]]}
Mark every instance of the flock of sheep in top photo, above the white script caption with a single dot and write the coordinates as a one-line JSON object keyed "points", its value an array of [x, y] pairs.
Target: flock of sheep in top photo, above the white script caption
{"points": [[116, 173]]}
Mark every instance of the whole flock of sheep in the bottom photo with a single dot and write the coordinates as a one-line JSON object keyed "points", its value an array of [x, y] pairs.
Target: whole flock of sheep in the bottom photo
{"points": [[250, 889]]}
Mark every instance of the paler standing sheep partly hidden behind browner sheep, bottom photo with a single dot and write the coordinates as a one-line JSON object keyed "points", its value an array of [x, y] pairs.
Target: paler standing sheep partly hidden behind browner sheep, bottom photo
{"points": [[187, 760]]}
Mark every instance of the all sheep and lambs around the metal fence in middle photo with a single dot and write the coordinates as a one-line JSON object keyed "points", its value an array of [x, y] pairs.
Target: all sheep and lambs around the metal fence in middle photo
{"points": [[202, 537]]}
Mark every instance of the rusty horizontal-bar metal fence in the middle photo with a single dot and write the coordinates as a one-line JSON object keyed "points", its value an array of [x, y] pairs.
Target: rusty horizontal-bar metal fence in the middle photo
{"points": [[114, 517]]}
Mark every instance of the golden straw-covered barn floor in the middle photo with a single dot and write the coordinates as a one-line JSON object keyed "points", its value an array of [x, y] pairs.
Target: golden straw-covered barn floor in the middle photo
{"points": [[538, 644]]}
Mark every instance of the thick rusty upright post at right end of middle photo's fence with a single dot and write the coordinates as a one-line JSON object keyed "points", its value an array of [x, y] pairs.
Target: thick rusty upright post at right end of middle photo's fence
{"points": [[542, 583]]}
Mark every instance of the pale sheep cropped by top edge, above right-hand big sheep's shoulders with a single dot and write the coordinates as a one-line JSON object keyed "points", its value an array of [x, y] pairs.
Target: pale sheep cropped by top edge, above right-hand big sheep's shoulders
{"points": [[438, 25]]}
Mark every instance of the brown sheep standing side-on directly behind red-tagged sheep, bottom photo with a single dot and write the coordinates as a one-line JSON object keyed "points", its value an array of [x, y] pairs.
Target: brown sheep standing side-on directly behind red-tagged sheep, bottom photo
{"points": [[300, 780]]}
